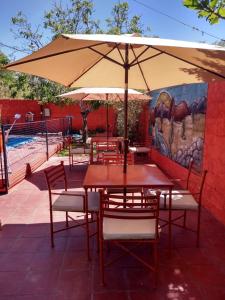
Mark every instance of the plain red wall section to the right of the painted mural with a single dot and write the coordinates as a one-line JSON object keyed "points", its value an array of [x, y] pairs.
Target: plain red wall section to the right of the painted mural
{"points": [[214, 150]]}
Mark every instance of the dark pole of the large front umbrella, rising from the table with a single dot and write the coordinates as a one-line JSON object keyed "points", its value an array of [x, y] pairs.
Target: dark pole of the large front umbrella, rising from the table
{"points": [[126, 68]]}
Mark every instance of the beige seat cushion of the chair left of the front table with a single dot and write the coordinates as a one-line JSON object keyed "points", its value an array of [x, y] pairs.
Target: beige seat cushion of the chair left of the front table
{"points": [[68, 202]]}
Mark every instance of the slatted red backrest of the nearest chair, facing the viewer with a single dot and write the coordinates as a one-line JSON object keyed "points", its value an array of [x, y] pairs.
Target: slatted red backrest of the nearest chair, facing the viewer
{"points": [[130, 207]]}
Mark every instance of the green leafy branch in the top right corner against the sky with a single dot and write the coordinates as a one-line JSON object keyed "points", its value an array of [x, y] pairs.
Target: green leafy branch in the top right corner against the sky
{"points": [[212, 10]]}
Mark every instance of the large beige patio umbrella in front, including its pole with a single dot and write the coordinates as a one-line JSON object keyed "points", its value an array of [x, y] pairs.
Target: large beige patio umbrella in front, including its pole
{"points": [[82, 60]]}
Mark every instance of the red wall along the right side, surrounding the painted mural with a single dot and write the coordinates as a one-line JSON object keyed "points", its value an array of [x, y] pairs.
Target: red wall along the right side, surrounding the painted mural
{"points": [[214, 154]]}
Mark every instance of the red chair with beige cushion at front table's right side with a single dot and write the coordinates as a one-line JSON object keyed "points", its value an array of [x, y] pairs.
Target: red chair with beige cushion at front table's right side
{"points": [[184, 200]]}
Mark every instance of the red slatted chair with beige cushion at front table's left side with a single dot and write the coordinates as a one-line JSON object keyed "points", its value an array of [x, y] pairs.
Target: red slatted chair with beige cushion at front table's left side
{"points": [[69, 201]]}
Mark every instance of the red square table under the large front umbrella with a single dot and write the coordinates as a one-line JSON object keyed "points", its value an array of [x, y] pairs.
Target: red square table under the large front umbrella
{"points": [[140, 176]]}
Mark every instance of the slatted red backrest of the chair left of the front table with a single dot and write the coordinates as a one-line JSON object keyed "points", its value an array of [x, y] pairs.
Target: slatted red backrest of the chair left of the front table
{"points": [[54, 175]]}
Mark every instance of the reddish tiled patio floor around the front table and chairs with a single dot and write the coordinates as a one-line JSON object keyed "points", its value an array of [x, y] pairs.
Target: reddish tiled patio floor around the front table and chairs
{"points": [[31, 269]]}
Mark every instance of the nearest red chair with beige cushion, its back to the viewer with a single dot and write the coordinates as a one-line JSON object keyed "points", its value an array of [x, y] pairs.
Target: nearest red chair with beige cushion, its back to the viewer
{"points": [[135, 223]]}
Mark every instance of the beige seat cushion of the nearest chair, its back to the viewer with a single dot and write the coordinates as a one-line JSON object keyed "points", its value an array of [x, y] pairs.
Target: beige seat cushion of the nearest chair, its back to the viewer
{"points": [[128, 228]]}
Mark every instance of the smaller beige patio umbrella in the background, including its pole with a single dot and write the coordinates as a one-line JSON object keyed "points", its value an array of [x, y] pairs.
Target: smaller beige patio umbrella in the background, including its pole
{"points": [[104, 94]]}
